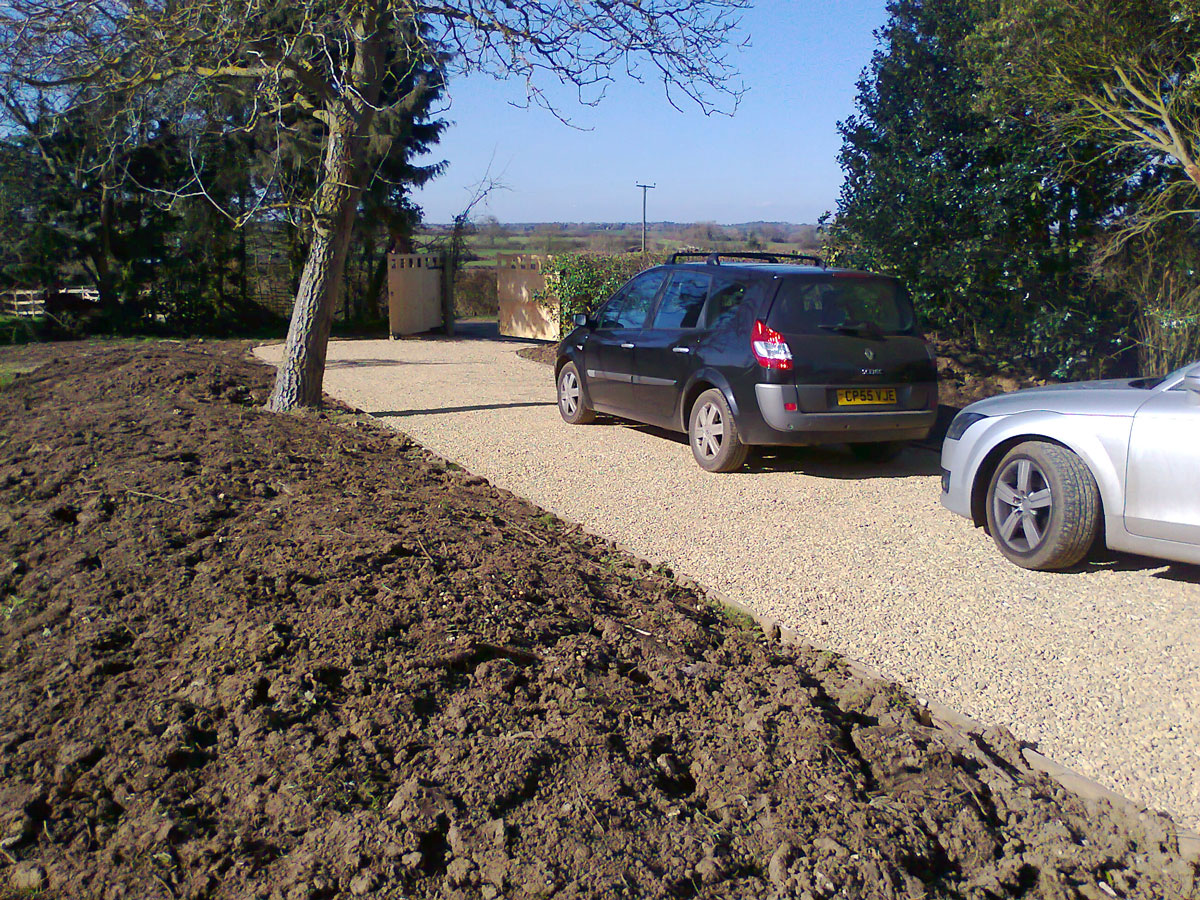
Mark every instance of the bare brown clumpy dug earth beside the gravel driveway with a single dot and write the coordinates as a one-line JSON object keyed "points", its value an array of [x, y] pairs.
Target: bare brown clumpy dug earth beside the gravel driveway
{"points": [[259, 656]]}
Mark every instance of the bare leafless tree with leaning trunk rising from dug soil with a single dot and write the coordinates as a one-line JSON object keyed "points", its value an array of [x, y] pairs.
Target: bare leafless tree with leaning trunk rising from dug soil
{"points": [[343, 67]]}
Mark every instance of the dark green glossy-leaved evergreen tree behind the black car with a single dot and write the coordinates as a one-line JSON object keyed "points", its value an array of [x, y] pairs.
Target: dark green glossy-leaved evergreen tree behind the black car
{"points": [[977, 214]]}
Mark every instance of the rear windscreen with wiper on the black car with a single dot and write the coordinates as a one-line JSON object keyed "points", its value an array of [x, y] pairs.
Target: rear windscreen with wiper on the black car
{"points": [[839, 303]]}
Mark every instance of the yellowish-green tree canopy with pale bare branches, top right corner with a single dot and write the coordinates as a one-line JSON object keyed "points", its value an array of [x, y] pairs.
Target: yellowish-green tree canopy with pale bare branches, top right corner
{"points": [[1120, 77]]}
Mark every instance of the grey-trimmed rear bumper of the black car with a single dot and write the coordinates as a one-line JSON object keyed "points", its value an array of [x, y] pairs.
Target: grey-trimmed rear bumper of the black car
{"points": [[795, 427]]}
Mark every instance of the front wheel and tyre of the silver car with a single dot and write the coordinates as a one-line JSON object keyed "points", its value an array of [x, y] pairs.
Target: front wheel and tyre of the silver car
{"points": [[1043, 507]]}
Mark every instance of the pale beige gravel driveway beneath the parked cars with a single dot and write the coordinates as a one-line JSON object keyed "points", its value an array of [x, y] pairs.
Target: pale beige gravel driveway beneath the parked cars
{"points": [[1101, 669]]}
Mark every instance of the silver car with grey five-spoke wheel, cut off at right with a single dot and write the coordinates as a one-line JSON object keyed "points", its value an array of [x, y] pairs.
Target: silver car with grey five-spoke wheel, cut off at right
{"points": [[1046, 470]]}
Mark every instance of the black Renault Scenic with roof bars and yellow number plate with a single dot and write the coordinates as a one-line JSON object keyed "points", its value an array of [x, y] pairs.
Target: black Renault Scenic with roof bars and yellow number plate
{"points": [[755, 352]]}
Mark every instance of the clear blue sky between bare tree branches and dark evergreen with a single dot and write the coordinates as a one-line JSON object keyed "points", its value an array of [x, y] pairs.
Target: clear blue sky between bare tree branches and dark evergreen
{"points": [[775, 160]]}
